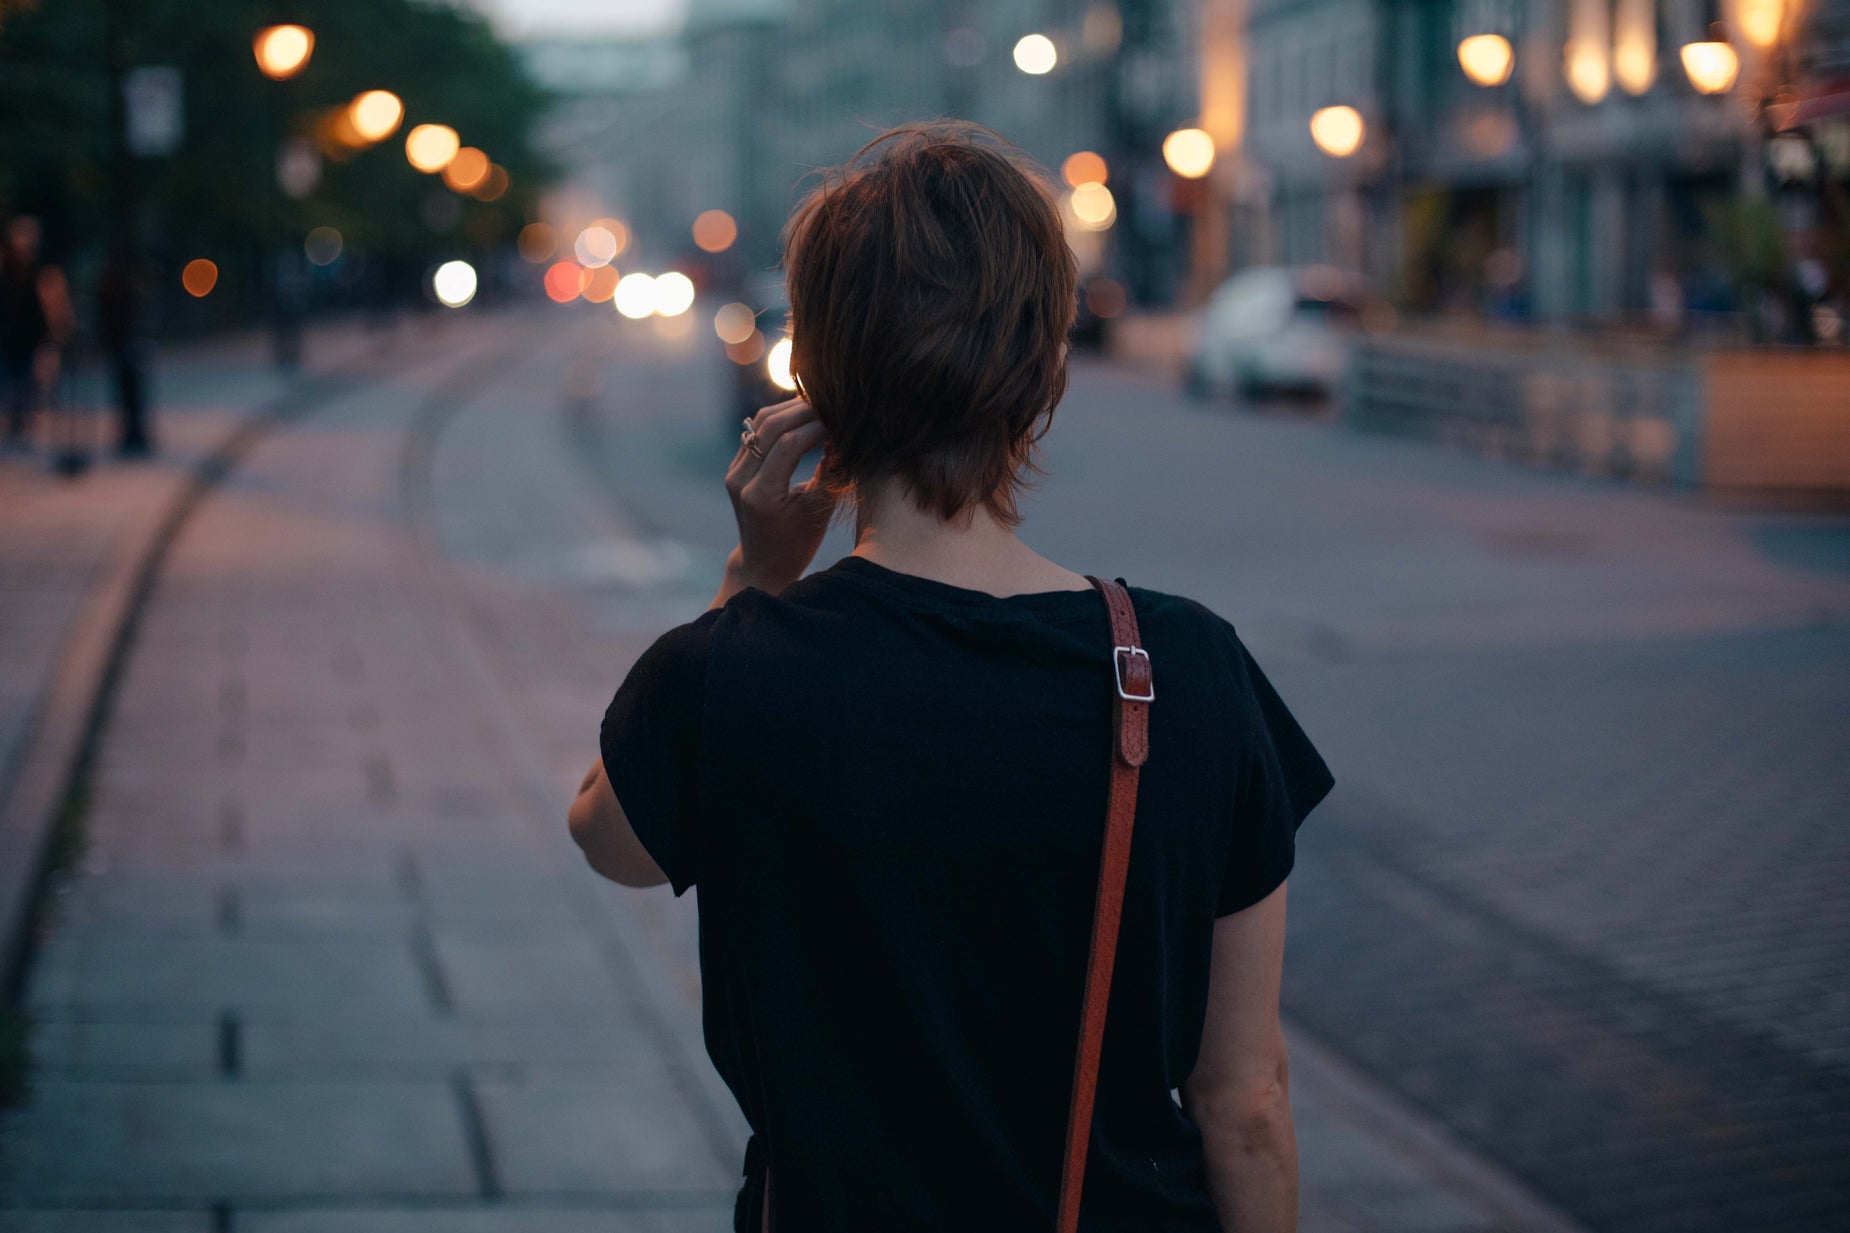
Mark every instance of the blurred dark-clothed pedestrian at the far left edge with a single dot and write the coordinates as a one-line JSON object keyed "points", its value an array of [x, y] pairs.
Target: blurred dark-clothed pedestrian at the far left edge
{"points": [[36, 321]]}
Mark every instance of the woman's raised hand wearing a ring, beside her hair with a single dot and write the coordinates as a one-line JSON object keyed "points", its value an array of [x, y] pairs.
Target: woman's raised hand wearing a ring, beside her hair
{"points": [[780, 527]]}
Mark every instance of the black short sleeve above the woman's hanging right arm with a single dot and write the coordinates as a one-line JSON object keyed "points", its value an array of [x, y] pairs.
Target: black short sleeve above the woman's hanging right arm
{"points": [[1279, 780]]}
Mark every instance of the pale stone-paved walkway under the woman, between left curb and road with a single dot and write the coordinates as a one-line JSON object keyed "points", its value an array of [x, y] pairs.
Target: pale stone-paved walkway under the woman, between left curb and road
{"points": [[332, 962]]}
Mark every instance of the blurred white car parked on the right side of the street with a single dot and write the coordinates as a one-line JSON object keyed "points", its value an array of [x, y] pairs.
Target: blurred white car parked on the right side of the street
{"points": [[1274, 330]]}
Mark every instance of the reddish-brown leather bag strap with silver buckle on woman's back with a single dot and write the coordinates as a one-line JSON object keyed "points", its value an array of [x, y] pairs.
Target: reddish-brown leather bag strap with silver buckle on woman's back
{"points": [[1135, 691]]}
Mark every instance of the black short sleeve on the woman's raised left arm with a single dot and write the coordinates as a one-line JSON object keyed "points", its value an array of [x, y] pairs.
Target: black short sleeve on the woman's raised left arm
{"points": [[652, 741]]}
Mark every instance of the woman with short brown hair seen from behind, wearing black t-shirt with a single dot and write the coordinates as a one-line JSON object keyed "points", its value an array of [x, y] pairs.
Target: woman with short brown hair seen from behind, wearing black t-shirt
{"points": [[939, 1006]]}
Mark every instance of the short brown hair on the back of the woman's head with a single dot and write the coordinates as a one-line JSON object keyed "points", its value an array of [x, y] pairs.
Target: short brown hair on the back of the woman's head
{"points": [[931, 295]]}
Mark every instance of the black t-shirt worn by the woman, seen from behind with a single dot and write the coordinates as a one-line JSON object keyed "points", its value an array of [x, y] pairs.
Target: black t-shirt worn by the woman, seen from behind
{"points": [[893, 799]]}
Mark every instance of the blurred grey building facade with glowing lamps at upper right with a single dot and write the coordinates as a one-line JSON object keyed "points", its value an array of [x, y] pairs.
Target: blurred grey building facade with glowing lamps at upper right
{"points": [[1588, 179]]}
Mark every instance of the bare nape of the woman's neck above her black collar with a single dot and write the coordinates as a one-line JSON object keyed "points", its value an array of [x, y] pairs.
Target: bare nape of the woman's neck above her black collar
{"points": [[974, 553]]}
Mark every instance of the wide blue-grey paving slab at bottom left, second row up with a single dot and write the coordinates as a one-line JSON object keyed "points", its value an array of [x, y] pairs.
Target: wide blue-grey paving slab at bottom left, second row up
{"points": [[151, 1143]]}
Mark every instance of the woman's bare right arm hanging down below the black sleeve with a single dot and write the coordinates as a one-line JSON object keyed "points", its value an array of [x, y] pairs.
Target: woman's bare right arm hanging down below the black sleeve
{"points": [[1240, 1091]]}
